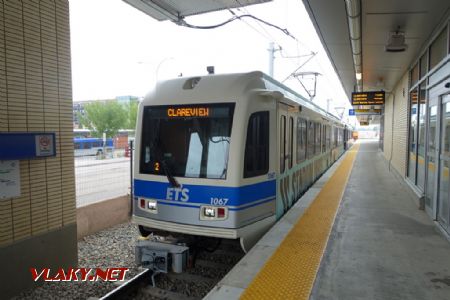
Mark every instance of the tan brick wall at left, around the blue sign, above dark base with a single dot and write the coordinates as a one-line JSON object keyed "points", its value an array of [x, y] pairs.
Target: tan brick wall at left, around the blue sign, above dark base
{"points": [[36, 95]]}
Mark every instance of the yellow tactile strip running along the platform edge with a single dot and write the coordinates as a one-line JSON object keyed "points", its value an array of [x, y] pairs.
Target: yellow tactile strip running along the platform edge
{"points": [[292, 269]]}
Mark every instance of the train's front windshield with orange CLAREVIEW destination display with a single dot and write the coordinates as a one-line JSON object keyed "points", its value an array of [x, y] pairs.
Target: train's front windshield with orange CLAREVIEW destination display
{"points": [[186, 141]]}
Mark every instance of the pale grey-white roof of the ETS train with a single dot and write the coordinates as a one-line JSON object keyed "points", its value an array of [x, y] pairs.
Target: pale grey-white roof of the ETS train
{"points": [[233, 85]]}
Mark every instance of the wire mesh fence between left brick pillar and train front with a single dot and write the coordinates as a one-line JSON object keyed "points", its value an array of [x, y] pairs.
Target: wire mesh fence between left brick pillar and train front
{"points": [[102, 176]]}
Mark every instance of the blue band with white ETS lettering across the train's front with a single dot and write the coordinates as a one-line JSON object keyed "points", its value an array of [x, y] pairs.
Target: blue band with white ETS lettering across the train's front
{"points": [[202, 194]]}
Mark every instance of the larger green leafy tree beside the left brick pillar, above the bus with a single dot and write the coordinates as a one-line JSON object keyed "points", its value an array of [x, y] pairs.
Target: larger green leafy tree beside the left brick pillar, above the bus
{"points": [[104, 117]]}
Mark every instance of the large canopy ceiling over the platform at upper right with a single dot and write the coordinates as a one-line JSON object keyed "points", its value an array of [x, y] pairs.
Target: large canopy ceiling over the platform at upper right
{"points": [[373, 23]]}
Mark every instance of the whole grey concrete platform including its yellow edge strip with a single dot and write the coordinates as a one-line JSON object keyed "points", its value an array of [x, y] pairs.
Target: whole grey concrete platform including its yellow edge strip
{"points": [[356, 234]]}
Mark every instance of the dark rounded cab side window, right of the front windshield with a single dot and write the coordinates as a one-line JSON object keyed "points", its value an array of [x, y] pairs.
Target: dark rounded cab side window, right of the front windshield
{"points": [[256, 160]]}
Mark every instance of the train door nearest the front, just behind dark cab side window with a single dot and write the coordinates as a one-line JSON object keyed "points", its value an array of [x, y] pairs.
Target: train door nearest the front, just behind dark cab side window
{"points": [[285, 154]]}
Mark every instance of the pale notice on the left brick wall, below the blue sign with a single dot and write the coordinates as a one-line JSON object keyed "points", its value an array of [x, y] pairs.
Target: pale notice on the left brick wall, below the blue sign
{"points": [[9, 179]]}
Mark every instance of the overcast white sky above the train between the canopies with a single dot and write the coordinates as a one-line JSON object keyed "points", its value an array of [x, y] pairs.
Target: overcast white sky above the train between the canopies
{"points": [[118, 50]]}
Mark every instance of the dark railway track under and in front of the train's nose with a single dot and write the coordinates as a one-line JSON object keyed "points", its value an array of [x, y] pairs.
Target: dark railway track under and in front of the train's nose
{"points": [[209, 268]]}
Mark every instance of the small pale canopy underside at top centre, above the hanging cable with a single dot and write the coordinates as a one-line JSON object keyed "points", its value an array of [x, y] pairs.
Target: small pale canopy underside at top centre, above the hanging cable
{"points": [[174, 10]]}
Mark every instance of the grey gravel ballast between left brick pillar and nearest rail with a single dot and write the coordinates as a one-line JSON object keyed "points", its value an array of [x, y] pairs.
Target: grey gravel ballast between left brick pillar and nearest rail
{"points": [[113, 247]]}
